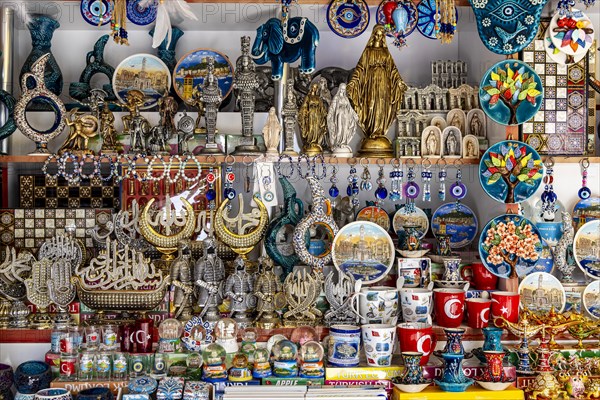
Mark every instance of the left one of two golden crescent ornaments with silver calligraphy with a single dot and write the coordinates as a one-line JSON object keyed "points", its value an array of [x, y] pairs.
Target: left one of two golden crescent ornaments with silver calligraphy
{"points": [[167, 243]]}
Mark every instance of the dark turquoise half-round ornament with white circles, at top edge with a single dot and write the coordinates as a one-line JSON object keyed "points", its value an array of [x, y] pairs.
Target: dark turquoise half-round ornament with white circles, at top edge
{"points": [[507, 26]]}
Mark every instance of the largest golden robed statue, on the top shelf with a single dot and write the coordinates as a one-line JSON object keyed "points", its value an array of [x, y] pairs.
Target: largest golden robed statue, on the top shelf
{"points": [[375, 90]]}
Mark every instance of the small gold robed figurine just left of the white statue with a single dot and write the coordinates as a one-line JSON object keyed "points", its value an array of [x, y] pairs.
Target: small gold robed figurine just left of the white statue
{"points": [[312, 119]]}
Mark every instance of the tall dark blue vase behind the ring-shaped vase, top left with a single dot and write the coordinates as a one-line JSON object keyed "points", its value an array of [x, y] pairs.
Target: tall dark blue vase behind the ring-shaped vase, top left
{"points": [[41, 28]]}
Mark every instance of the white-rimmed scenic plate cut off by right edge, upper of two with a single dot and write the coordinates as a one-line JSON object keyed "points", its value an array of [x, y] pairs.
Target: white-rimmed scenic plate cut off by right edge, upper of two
{"points": [[586, 248]]}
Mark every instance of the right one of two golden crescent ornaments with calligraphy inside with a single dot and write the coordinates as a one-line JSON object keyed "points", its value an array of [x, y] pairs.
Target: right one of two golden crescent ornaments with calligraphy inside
{"points": [[243, 241]]}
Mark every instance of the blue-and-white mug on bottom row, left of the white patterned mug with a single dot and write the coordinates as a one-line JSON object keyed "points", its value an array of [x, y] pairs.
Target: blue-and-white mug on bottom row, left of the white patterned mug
{"points": [[343, 349]]}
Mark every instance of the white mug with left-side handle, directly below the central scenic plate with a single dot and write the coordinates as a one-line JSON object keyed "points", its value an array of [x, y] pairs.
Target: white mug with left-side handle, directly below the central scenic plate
{"points": [[376, 305]]}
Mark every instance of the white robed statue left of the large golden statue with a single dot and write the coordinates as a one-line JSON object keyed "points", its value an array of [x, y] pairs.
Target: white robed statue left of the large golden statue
{"points": [[341, 123]]}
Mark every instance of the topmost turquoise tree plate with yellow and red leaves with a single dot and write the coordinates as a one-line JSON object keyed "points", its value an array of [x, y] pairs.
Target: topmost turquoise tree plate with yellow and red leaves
{"points": [[511, 92]]}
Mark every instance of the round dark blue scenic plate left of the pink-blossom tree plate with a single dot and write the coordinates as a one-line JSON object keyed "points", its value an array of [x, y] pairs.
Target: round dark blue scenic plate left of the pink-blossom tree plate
{"points": [[456, 220]]}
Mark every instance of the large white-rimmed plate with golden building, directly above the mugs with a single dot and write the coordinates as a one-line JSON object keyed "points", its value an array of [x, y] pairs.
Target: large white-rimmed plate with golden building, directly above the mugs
{"points": [[365, 250]]}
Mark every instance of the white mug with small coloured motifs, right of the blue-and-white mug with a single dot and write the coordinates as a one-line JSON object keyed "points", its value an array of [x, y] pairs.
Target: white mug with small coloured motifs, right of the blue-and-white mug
{"points": [[378, 342]]}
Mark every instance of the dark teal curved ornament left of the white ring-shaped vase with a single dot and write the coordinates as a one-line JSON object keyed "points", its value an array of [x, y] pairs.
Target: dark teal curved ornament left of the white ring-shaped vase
{"points": [[282, 253]]}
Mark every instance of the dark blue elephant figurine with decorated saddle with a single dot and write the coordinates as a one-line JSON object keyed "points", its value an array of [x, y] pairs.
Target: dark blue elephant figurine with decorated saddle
{"points": [[285, 42]]}
